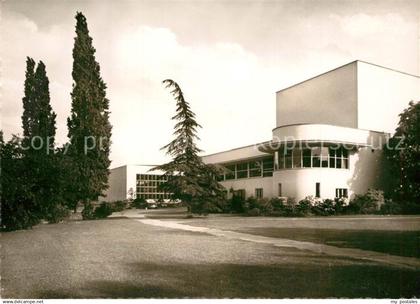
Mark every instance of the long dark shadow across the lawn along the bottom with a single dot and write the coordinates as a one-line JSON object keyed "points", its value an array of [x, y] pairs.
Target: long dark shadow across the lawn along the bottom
{"points": [[254, 281]]}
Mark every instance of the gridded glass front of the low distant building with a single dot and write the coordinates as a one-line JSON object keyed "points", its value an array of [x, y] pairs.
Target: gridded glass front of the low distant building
{"points": [[147, 186]]}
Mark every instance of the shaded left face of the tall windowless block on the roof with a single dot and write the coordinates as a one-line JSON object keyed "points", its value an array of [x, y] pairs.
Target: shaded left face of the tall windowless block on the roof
{"points": [[330, 98]]}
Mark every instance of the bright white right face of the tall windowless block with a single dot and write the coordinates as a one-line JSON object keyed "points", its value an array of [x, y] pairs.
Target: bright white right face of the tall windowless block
{"points": [[383, 94]]}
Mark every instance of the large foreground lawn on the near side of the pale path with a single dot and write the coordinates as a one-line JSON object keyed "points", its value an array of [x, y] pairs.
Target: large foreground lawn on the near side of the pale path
{"points": [[123, 258]]}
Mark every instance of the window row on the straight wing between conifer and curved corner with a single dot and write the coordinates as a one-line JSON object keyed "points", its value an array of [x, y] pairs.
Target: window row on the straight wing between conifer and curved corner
{"points": [[261, 167]]}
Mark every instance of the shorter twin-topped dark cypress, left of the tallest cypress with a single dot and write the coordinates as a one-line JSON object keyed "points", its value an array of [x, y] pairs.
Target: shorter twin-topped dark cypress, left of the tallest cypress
{"points": [[38, 121]]}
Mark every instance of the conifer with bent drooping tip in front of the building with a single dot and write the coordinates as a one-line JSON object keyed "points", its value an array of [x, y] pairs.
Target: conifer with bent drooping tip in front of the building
{"points": [[189, 179]]}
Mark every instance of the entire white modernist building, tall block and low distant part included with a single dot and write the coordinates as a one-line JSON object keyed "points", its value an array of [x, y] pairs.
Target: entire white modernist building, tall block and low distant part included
{"points": [[327, 141]]}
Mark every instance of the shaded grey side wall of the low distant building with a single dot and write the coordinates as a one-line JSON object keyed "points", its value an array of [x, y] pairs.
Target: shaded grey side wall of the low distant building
{"points": [[117, 182]]}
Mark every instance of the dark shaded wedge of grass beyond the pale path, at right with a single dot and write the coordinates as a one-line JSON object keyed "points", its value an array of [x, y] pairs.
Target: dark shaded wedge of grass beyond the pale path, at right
{"points": [[402, 243]]}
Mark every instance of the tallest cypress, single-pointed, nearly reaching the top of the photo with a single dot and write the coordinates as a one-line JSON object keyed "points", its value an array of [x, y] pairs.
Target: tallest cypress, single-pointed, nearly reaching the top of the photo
{"points": [[89, 127]]}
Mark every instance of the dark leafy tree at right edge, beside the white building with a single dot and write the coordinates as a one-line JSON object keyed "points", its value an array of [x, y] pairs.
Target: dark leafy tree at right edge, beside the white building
{"points": [[403, 155]]}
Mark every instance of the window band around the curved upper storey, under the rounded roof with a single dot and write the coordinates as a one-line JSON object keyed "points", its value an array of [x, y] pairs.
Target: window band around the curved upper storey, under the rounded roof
{"points": [[316, 157]]}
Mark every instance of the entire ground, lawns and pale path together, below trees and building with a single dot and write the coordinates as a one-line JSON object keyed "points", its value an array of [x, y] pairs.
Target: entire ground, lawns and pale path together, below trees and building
{"points": [[166, 255]]}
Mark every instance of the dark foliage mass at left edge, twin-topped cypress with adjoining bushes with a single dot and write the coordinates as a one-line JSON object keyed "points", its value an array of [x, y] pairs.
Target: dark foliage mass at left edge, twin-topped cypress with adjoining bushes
{"points": [[29, 178]]}
